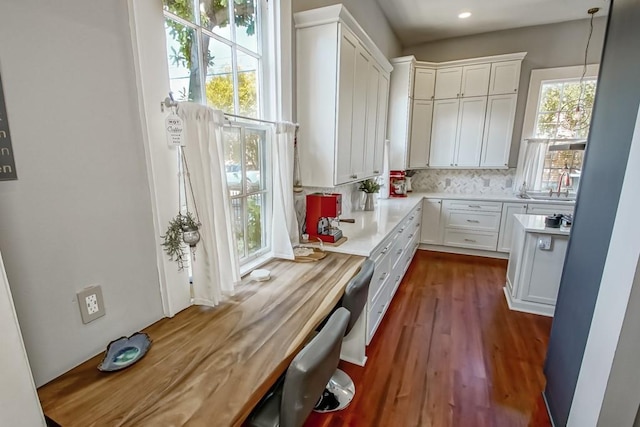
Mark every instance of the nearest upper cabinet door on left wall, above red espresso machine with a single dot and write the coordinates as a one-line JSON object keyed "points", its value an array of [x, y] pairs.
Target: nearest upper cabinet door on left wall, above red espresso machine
{"points": [[347, 70]]}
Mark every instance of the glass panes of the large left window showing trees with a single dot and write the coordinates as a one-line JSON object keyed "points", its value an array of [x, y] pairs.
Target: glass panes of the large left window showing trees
{"points": [[214, 55]]}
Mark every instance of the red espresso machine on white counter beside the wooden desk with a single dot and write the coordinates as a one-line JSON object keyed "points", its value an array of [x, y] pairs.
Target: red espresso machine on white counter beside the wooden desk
{"points": [[322, 210]]}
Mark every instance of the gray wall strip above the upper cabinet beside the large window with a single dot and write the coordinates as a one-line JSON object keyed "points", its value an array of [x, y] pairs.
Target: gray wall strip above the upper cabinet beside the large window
{"points": [[369, 16]]}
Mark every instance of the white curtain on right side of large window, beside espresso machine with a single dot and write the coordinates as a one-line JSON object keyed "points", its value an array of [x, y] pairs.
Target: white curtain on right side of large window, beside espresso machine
{"points": [[284, 224]]}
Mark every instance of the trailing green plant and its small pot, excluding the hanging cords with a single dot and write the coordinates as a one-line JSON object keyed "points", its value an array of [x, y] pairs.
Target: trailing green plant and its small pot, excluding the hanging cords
{"points": [[183, 229]]}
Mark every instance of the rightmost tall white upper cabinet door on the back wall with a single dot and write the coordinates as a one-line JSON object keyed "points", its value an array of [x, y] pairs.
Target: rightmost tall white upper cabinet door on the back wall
{"points": [[498, 130]]}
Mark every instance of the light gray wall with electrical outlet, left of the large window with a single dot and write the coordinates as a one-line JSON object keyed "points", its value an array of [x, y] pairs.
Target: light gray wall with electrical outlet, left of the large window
{"points": [[80, 213]]}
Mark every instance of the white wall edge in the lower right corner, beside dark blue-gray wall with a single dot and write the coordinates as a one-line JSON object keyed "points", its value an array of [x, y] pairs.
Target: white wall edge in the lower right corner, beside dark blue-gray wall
{"points": [[602, 398]]}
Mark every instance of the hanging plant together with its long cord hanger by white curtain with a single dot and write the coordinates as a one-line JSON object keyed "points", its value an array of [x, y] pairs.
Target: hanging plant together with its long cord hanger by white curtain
{"points": [[183, 228]]}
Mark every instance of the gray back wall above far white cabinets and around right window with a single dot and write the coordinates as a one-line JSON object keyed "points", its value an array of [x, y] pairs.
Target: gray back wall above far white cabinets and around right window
{"points": [[547, 46]]}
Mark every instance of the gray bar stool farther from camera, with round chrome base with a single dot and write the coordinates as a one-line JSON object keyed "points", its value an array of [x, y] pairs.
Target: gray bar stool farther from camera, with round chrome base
{"points": [[340, 389]]}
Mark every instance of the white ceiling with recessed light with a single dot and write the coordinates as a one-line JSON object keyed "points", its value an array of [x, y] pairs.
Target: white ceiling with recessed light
{"points": [[420, 21]]}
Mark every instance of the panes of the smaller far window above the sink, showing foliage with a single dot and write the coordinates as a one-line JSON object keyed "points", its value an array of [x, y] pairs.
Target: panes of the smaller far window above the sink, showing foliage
{"points": [[564, 112]]}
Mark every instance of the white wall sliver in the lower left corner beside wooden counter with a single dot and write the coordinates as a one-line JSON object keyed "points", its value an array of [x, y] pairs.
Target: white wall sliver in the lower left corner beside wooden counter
{"points": [[19, 405]]}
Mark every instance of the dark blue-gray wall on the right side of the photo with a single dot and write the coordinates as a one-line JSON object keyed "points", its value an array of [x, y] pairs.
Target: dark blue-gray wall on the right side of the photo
{"points": [[612, 127]]}
